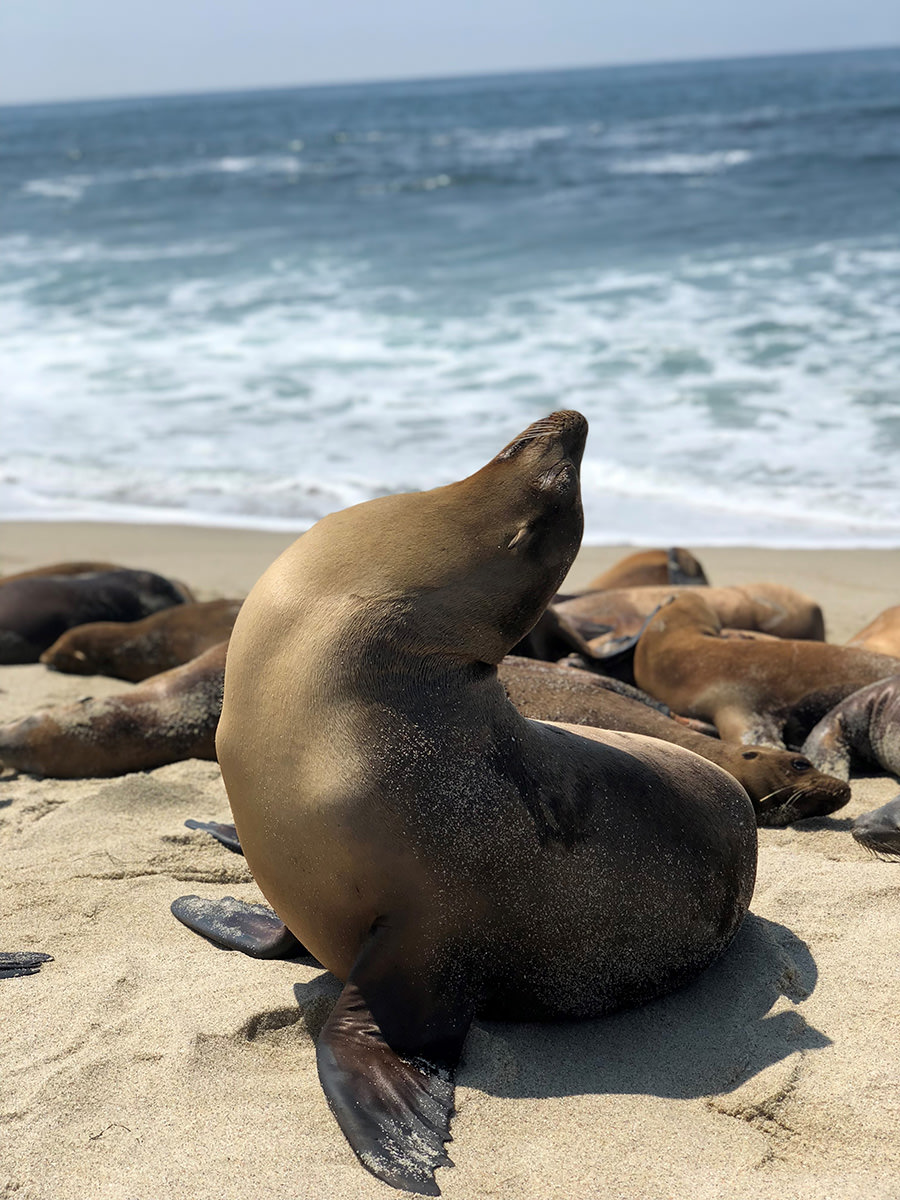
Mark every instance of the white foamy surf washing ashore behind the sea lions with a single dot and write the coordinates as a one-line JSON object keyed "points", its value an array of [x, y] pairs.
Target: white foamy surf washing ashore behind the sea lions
{"points": [[731, 399]]}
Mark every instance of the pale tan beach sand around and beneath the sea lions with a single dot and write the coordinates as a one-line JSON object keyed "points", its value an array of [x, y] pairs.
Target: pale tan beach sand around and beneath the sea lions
{"points": [[147, 1065]]}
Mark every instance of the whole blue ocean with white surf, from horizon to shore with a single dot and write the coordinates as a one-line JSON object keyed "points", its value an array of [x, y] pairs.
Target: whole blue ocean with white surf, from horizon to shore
{"points": [[254, 309]]}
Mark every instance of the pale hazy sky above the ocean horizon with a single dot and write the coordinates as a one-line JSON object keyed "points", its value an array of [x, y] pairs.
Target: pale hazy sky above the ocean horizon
{"points": [[61, 50]]}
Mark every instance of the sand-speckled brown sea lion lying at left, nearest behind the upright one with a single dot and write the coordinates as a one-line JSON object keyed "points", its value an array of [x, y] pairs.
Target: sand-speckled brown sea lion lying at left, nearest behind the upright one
{"points": [[169, 718]]}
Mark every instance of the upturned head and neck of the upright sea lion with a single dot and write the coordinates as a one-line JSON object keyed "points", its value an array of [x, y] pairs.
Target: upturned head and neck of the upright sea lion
{"points": [[461, 572]]}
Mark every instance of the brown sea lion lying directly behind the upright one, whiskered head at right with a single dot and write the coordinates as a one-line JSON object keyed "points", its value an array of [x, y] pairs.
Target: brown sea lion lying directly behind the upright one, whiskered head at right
{"points": [[784, 787]]}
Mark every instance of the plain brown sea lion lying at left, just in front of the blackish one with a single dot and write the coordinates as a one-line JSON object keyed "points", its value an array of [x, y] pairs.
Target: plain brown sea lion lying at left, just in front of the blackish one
{"points": [[139, 650]]}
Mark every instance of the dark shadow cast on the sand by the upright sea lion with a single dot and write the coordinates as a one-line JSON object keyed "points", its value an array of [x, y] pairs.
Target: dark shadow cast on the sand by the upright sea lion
{"points": [[709, 1039]]}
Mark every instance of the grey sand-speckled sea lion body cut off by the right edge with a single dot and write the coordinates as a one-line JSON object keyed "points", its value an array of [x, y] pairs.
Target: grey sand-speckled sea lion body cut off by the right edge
{"points": [[866, 725]]}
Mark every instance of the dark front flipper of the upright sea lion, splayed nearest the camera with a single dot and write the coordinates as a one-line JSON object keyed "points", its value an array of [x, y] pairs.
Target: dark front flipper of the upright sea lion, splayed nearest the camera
{"points": [[395, 1112]]}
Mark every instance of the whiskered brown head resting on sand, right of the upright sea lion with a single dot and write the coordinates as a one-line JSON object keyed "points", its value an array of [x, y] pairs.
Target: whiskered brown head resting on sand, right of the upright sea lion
{"points": [[785, 787]]}
